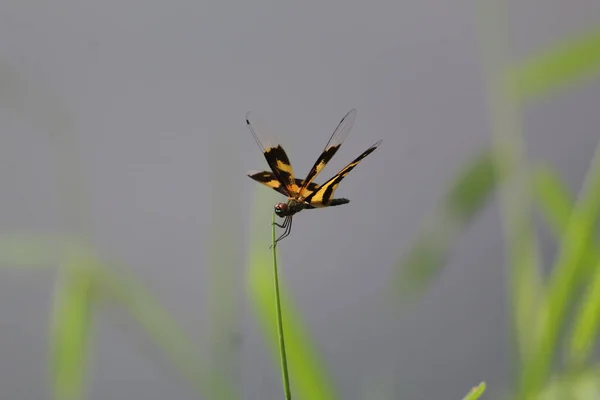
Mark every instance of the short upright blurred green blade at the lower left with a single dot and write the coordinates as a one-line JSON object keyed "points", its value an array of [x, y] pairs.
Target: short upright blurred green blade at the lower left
{"points": [[70, 333]]}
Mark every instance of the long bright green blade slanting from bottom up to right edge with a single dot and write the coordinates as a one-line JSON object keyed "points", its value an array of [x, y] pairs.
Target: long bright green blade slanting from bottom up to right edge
{"points": [[571, 254]]}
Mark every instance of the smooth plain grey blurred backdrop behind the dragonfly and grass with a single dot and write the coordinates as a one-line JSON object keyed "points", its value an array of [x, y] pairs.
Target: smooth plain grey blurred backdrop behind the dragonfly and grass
{"points": [[124, 121]]}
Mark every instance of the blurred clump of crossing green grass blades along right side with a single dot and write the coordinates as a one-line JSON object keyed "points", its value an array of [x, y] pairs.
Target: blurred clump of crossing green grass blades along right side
{"points": [[539, 305]]}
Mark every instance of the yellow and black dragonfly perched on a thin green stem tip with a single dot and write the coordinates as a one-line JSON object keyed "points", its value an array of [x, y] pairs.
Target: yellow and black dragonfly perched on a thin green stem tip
{"points": [[302, 193]]}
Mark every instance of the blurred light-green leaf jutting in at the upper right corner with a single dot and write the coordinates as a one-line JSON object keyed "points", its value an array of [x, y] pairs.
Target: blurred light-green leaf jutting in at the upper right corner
{"points": [[561, 65]]}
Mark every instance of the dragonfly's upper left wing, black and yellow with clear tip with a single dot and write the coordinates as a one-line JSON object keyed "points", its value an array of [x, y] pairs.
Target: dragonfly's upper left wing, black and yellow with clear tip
{"points": [[275, 155]]}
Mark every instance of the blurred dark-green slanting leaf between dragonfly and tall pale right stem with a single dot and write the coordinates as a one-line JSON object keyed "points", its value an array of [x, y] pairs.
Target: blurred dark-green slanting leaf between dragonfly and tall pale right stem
{"points": [[465, 197]]}
